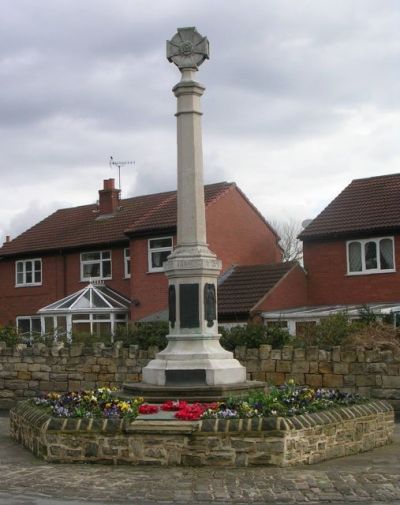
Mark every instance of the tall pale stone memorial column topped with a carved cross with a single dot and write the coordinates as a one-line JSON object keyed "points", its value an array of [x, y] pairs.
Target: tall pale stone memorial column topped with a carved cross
{"points": [[194, 355]]}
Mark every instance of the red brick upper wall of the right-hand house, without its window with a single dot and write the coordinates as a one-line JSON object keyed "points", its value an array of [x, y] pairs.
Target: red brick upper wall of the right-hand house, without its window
{"points": [[328, 282]]}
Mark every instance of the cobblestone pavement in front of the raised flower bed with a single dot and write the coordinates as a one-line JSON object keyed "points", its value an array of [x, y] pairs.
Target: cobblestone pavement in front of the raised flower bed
{"points": [[372, 478]]}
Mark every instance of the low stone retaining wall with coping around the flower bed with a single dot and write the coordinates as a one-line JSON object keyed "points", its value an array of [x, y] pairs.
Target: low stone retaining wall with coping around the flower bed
{"points": [[303, 439]]}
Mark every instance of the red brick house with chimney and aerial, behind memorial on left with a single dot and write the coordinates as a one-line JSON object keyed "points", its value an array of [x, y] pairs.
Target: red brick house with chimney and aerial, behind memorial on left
{"points": [[121, 243]]}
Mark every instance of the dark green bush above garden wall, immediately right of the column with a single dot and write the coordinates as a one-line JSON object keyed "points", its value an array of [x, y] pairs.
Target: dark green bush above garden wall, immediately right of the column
{"points": [[253, 335]]}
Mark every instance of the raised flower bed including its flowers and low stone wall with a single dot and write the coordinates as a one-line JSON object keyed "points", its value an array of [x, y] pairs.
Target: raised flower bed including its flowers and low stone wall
{"points": [[289, 426]]}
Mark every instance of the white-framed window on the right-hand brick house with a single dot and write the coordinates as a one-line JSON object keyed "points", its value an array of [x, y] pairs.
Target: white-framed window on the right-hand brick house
{"points": [[370, 256]]}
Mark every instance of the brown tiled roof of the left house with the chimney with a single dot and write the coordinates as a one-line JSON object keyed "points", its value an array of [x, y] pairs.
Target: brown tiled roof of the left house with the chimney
{"points": [[81, 226]]}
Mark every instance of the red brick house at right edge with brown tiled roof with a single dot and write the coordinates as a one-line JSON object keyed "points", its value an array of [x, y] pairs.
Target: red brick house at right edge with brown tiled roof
{"points": [[351, 251]]}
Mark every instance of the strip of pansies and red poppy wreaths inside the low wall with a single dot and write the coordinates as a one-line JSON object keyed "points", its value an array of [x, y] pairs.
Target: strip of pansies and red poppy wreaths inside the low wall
{"points": [[286, 400]]}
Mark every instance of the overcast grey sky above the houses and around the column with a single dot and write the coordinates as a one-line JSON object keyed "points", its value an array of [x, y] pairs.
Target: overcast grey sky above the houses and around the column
{"points": [[302, 97]]}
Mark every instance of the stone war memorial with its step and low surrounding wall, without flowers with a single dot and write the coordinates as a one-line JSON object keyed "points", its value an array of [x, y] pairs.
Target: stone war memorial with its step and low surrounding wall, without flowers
{"points": [[194, 366]]}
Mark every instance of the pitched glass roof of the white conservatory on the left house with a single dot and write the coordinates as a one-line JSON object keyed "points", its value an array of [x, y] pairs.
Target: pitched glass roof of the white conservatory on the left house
{"points": [[92, 298]]}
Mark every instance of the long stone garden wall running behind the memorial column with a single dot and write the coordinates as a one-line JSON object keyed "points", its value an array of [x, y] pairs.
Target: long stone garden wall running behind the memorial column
{"points": [[26, 371]]}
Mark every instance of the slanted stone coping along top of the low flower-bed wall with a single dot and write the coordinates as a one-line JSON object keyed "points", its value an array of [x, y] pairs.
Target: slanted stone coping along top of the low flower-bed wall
{"points": [[44, 422]]}
